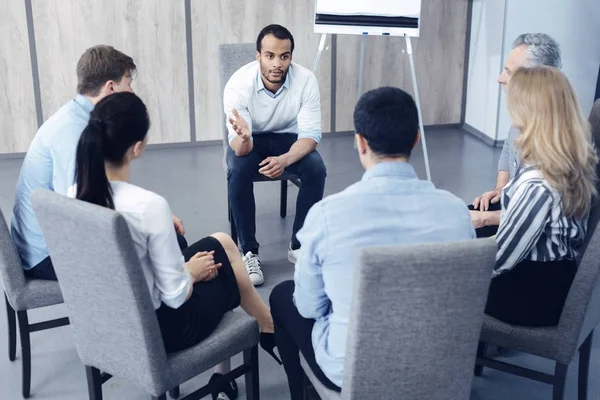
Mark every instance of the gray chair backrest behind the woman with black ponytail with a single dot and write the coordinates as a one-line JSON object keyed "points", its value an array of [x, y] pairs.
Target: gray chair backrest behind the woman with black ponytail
{"points": [[101, 278]]}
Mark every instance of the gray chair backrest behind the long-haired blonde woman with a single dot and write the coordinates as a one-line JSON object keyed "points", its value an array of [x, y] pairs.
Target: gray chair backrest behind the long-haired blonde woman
{"points": [[581, 312]]}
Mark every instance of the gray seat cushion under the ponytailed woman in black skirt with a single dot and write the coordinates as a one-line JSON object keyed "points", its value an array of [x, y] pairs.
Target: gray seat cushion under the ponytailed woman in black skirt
{"points": [[235, 333]]}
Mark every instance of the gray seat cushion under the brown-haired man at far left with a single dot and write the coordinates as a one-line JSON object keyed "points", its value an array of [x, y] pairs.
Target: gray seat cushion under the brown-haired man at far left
{"points": [[37, 293]]}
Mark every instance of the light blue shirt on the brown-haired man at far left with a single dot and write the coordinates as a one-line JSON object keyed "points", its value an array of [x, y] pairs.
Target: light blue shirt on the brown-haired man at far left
{"points": [[49, 164]]}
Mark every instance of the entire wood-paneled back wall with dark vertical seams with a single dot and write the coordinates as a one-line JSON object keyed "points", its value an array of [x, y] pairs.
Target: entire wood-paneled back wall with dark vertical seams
{"points": [[153, 32]]}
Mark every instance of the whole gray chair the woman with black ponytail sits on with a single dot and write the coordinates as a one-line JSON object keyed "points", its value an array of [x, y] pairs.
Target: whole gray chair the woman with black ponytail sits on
{"points": [[111, 310]]}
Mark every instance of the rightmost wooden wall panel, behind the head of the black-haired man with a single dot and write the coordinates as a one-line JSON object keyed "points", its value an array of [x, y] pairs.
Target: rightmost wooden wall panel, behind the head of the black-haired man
{"points": [[439, 63]]}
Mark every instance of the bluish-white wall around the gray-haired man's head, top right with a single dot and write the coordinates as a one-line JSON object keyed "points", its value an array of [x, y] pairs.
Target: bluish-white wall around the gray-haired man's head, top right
{"points": [[575, 24]]}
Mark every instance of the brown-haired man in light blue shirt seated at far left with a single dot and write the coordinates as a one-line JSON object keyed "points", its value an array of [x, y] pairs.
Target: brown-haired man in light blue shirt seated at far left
{"points": [[50, 159]]}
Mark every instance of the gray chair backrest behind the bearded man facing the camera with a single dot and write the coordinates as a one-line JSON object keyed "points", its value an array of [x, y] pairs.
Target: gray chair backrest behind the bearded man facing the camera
{"points": [[231, 58]]}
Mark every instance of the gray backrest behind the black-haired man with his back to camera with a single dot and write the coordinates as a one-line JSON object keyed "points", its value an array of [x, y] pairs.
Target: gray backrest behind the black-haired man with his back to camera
{"points": [[416, 318]]}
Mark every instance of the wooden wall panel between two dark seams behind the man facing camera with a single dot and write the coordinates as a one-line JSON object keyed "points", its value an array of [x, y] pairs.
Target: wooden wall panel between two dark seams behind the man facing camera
{"points": [[240, 21]]}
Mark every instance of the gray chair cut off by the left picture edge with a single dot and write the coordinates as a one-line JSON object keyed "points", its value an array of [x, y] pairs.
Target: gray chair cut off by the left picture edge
{"points": [[22, 294]]}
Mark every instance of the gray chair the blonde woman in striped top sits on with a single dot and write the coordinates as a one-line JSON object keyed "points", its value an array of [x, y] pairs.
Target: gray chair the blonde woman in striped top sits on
{"points": [[561, 343]]}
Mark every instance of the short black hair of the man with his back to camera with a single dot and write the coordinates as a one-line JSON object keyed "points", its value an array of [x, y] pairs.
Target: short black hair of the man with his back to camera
{"points": [[388, 119]]}
